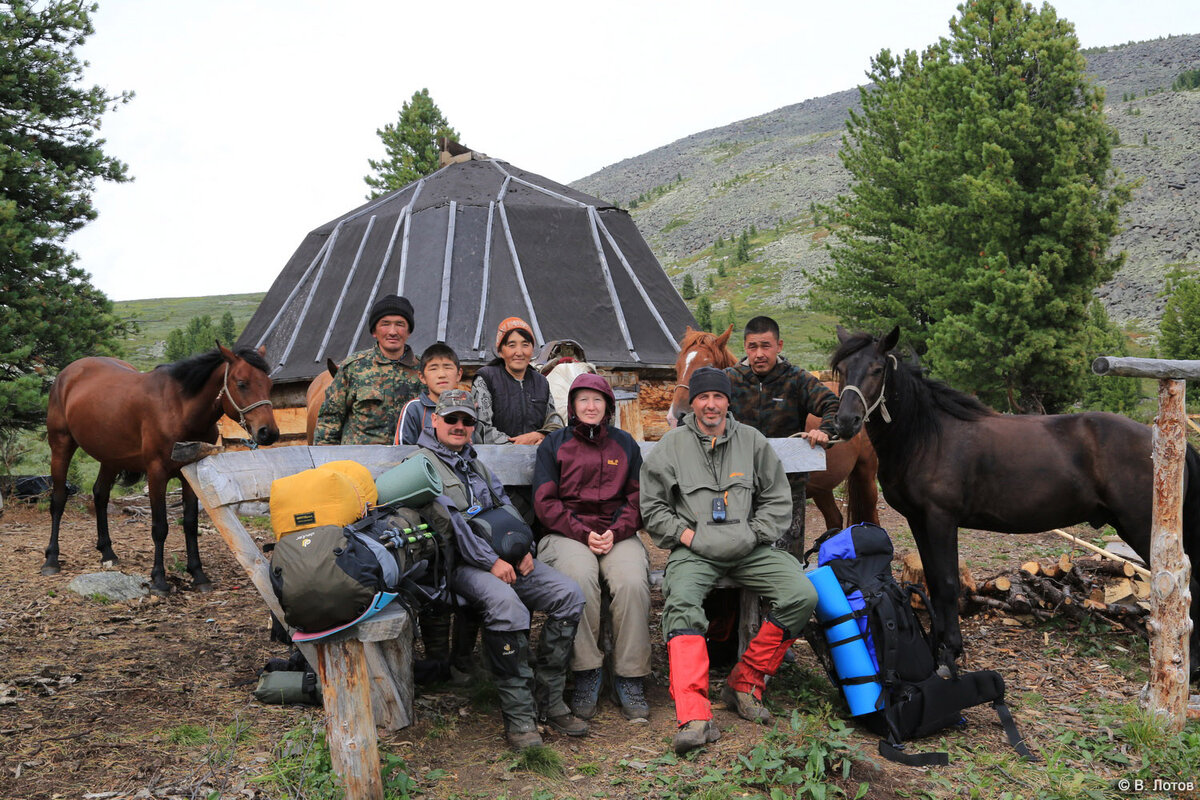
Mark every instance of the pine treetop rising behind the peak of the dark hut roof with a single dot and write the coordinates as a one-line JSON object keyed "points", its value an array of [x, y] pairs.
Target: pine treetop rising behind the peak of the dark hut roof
{"points": [[411, 145]]}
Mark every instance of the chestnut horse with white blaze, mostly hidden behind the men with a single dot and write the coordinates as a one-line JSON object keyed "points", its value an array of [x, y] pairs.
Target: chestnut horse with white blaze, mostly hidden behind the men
{"points": [[851, 461]]}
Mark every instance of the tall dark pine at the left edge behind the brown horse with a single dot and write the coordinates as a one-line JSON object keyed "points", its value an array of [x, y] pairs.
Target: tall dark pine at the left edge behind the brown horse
{"points": [[51, 158]]}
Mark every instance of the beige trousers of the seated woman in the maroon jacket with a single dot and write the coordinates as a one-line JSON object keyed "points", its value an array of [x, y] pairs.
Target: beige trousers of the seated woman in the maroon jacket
{"points": [[626, 570]]}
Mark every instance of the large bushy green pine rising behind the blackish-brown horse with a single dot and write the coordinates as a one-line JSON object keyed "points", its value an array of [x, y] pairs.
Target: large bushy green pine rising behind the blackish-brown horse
{"points": [[982, 207]]}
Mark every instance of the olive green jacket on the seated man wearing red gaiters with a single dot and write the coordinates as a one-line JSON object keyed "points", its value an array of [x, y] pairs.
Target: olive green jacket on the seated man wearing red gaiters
{"points": [[687, 471]]}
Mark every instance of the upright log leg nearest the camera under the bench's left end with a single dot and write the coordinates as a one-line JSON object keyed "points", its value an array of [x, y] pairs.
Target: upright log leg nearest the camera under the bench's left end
{"points": [[350, 724]]}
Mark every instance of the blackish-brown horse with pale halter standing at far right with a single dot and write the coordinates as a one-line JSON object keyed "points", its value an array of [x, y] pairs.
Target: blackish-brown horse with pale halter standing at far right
{"points": [[949, 461]]}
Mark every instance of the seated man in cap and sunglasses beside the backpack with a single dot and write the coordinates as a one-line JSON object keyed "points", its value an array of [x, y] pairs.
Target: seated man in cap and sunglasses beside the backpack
{"points": [[497, 574]]}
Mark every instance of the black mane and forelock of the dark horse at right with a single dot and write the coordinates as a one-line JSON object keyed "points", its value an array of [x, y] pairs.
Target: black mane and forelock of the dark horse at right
{"points": [[926, 401]]}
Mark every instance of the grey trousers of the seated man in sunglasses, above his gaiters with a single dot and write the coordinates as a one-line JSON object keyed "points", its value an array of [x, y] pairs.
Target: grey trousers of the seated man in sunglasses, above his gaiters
{"points": [[508, 607]]}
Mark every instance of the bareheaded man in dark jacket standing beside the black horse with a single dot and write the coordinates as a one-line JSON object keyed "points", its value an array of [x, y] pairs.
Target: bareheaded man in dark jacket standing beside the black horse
{"points": [[776, 398]]}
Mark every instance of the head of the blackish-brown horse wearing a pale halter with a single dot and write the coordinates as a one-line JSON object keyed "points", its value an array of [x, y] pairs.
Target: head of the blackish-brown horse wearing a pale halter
{"points": [[862, 364]]}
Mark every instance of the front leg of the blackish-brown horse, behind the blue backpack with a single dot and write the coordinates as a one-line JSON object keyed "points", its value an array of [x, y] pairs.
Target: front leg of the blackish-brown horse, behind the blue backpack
{"points": [[938, 542]]}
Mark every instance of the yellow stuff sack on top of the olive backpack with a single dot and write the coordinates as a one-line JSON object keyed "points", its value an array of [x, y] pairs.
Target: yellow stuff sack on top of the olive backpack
{"points": [[332, 495]]}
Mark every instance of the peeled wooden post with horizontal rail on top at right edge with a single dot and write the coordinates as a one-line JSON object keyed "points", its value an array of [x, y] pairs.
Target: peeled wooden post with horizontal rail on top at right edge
{"points": [[1171, 624]]}
